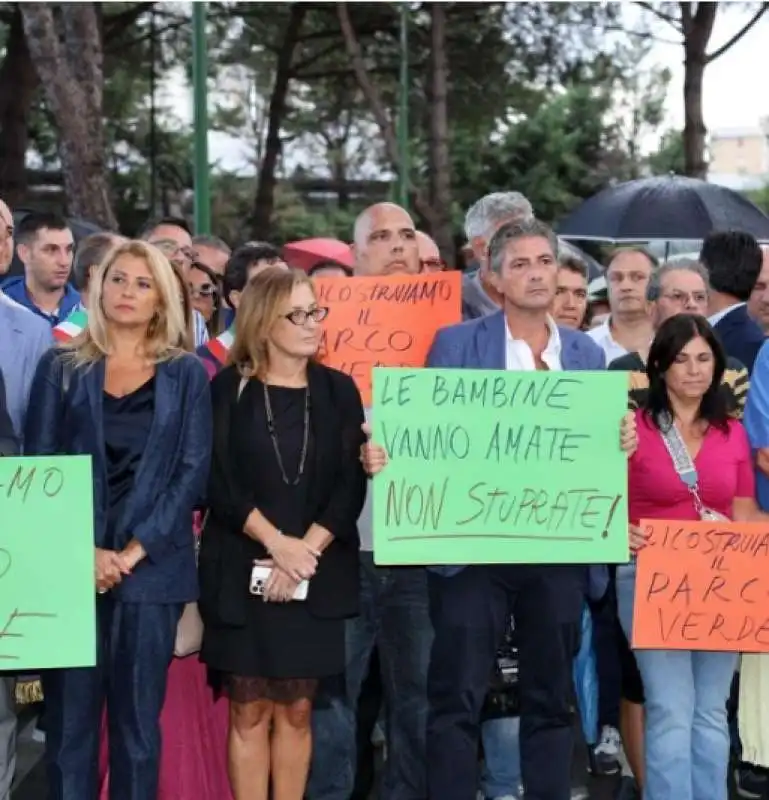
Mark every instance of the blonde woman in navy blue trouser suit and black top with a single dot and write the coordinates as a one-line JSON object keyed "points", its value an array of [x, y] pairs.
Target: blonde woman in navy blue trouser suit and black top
{"points": [[125, 393]]}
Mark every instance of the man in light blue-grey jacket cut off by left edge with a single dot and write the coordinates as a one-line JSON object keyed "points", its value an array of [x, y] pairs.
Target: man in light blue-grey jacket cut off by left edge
{"points": [[24, 337]]}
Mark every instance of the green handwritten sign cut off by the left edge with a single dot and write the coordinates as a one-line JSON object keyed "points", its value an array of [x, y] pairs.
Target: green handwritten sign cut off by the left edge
{"points": [[47, 593]]}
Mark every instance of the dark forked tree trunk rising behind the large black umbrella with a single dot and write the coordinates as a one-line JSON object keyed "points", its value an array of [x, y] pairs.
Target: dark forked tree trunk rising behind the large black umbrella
{"points": [[697, 28]]}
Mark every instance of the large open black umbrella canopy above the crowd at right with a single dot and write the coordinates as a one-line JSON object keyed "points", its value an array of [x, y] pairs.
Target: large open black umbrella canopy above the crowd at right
{"points": [[671, 207]]}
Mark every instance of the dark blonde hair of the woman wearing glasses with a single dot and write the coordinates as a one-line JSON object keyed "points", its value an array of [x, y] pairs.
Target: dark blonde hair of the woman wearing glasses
{"points": [[258, 311]]}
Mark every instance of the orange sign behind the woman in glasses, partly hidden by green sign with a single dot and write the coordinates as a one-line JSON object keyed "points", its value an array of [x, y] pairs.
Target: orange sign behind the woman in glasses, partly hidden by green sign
{"points": [[384, 322]]}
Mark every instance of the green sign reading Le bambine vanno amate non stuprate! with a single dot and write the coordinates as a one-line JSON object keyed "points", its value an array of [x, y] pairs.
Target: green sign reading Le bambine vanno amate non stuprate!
{"points": [[500, 467]]}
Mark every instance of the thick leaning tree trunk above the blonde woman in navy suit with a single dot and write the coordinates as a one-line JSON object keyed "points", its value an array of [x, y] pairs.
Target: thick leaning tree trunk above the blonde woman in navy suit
{"points": [[68, 60]]}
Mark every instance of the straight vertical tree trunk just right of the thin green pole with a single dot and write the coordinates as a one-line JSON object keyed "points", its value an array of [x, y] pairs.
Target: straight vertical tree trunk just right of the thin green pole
{"points": [[440, 165]]}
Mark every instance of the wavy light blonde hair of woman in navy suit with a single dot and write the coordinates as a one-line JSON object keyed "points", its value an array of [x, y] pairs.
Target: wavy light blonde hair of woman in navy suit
{"points": [[166, 332]]}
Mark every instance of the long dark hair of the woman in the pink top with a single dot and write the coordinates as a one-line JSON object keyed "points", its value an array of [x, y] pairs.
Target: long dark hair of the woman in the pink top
{"points": [[671, 338]]}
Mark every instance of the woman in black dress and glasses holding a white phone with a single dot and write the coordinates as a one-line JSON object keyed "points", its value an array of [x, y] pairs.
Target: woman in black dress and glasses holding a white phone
{"points": [[285, 492]]}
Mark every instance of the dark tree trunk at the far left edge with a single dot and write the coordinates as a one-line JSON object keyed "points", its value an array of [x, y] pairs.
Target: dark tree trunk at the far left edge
{"points": [[18, 81]]}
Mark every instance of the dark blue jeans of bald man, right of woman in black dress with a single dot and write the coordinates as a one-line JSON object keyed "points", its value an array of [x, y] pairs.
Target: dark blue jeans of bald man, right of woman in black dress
{"points": [[394, 616]]}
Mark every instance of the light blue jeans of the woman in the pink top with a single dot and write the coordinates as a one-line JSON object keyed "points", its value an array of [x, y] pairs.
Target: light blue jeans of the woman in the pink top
{"points": [[687, 734]]}
